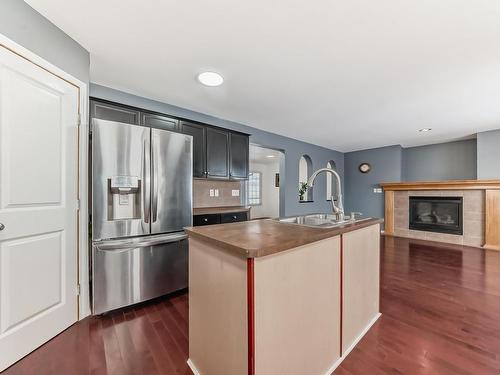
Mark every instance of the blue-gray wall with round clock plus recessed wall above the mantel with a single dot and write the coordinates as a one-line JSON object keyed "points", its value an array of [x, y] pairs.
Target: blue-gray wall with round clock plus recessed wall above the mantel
{"points": [[444, 161]]}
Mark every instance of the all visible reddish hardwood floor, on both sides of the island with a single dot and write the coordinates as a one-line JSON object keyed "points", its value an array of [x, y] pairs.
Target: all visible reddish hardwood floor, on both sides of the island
{"points": [[440, 306]]}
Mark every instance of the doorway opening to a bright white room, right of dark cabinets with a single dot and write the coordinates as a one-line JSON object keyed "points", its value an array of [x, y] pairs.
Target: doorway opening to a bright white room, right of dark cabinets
{"points": [[263, 187]]}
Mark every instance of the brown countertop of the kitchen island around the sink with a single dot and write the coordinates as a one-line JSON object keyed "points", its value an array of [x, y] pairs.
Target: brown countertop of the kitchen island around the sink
{"points": [[258, 238]]}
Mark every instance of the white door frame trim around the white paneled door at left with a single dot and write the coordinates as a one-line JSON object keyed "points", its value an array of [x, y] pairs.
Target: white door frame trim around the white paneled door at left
{"points": [[83, 308]]}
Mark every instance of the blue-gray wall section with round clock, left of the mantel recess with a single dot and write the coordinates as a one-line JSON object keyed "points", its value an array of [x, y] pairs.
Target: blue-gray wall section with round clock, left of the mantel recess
{"points": [[386, 163]]}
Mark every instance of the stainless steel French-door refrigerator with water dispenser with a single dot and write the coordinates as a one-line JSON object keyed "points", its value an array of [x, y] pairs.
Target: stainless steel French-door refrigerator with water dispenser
{"points": [[141, 200]]}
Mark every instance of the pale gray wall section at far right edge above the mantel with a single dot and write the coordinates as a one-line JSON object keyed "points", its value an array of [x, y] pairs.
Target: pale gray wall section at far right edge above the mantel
{"points": [[488, 155]]}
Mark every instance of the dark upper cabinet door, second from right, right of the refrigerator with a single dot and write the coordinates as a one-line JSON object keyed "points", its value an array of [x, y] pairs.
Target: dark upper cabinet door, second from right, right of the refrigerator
{"points": [[217, 153]]}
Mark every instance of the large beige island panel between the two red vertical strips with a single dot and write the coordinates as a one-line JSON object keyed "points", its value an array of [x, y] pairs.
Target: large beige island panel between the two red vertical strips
{"points": [[297, 310]]}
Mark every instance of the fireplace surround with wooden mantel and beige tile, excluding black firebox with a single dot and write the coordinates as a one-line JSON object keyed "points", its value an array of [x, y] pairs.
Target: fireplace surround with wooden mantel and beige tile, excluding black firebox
{"points": [[481, 210]]}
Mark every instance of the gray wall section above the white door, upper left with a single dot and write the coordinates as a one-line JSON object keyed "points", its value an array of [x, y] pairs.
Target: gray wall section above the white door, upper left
{"points": [[25, 26]]}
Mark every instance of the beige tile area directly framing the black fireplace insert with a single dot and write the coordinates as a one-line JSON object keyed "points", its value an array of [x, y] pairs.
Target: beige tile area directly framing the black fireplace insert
{"points": [[473, 219]]}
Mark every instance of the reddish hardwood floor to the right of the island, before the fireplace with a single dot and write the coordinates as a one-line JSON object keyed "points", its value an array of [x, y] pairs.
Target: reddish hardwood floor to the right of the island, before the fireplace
{"points": [[441, 312]]}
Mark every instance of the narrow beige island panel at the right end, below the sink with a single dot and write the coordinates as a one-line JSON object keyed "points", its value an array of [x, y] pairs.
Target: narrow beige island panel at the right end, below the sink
{"points": [[361, 283]]}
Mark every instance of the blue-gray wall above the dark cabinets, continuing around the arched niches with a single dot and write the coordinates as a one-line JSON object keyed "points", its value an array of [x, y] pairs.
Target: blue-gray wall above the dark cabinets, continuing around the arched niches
{"points": [[293, 149]]}
